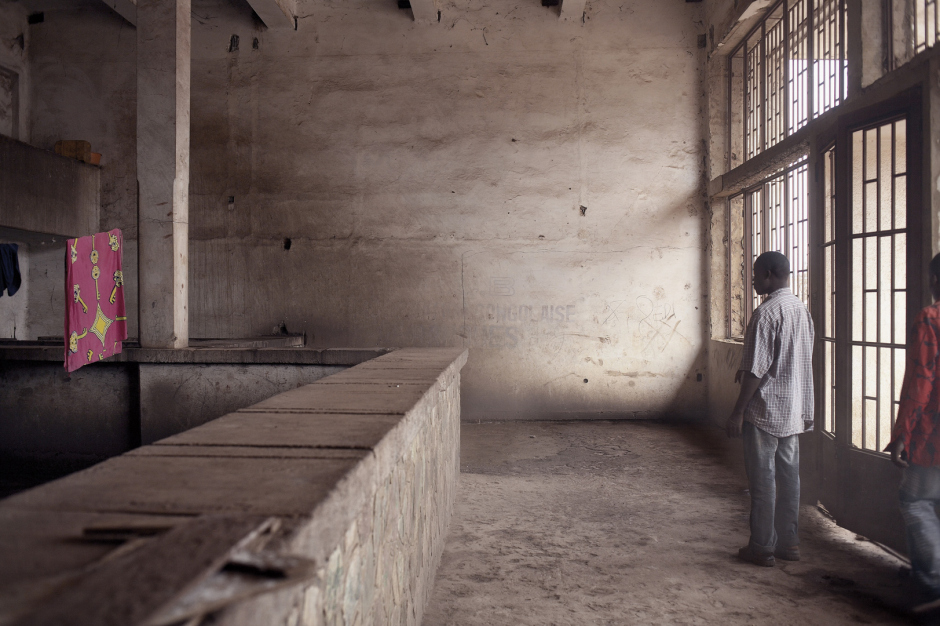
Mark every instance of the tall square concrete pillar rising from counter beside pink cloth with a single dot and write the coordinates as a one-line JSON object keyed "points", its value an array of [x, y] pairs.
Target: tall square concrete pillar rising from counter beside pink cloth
{"points": [[163, 62]]}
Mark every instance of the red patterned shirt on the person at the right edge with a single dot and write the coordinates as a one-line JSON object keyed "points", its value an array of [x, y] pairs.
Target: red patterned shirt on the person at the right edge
{"points": [[918, 422]]}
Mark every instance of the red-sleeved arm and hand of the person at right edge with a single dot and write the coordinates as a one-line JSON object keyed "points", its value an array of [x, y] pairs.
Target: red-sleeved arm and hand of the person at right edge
{"points": [[922, 353]]}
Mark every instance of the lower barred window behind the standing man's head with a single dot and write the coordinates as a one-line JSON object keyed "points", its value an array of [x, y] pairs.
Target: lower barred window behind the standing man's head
{"points": [[772, 215]]}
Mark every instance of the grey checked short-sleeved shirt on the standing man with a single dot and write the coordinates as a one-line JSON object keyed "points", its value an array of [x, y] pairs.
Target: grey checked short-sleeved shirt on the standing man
{"points": [[778, 349]]}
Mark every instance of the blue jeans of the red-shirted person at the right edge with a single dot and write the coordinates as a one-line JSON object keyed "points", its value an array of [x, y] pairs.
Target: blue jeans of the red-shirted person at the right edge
{"points": [[919, 493]]}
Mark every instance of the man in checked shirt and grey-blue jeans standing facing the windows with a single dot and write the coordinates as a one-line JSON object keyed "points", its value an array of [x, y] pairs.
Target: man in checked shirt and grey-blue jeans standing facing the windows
{"points": [[774, 406]]}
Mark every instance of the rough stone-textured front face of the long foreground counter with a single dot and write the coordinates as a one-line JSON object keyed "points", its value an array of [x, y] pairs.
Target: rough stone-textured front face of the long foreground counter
{"points": [[397, 538]]}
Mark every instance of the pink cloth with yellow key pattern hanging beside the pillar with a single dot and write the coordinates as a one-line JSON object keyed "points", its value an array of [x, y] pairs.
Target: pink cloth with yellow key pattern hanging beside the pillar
{"points": [[95, 321]]}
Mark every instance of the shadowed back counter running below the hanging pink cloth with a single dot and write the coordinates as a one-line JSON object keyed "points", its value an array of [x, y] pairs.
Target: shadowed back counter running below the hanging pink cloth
{"points": [[141, 395]]}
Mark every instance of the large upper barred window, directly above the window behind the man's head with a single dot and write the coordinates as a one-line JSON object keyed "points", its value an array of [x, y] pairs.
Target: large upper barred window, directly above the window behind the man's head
{"points": [[790, 68]]}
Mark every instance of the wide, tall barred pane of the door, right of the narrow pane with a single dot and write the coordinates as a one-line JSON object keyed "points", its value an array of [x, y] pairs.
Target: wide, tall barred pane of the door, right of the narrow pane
{"points": [[878, 280]]}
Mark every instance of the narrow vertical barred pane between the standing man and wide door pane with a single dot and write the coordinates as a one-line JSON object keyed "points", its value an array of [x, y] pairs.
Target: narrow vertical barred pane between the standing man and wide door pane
{"points": [[829, 291]]}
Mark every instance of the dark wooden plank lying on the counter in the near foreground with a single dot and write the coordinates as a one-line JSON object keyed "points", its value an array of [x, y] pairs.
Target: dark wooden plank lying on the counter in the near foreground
{"points": [[127, 590]]}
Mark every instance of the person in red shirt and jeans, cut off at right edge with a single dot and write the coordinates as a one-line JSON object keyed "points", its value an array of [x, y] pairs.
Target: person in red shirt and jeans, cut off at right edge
{"points": [[915, 445]]}
